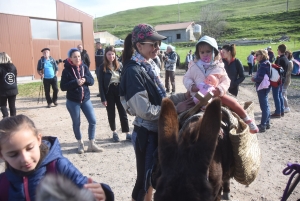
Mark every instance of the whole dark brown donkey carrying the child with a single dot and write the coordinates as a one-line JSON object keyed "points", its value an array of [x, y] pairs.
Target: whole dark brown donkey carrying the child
{"points": [[193, 165]]}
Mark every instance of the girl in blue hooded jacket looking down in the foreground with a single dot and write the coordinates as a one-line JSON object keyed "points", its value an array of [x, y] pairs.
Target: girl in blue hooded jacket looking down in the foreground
{"points": [[27, 156]]}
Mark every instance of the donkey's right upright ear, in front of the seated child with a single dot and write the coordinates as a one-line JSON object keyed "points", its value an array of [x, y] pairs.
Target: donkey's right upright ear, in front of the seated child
{"points": [[209, 129]]}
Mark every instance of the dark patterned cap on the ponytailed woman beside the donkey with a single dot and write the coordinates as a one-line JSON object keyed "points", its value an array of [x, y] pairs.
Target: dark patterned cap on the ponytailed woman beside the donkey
{"points": [[142, 32]]}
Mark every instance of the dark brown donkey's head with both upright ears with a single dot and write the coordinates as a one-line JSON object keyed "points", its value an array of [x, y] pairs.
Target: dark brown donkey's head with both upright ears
{"points": [[185, 159]]}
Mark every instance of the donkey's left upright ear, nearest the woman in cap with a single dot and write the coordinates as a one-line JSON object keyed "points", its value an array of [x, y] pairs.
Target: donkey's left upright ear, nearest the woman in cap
{"points": [[167, 132]]}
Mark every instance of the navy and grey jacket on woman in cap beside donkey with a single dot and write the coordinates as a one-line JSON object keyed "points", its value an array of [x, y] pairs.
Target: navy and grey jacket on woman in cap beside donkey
{"points": [[139, 96]]}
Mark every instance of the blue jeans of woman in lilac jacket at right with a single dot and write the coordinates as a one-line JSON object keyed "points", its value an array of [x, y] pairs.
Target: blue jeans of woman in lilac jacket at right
{"points": [[264, 106]]}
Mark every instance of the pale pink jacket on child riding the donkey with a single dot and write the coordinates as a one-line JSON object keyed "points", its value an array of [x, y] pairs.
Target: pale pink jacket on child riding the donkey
{"points": [[197, 74]]}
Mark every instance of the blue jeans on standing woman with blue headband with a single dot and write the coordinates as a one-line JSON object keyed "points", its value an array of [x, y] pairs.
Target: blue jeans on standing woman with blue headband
{"points": [[88, 111]]}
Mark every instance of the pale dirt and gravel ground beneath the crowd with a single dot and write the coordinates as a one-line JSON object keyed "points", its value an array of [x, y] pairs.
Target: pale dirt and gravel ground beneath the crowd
{"points": [[116, 165]]}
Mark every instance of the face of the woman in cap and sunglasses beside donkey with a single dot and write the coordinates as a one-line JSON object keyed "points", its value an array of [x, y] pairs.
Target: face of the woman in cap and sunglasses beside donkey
{"points": [[148, 49]]}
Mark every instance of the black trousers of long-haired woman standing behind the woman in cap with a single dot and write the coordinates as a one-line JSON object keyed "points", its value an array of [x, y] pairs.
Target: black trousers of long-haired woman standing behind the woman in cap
{"points": [[113, 99]]}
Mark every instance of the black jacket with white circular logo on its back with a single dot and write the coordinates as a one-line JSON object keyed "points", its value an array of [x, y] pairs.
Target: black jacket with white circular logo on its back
{"points": [[8, 80]]}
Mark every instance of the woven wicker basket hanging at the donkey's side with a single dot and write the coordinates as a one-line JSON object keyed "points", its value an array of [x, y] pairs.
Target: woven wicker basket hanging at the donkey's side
{"points": [[246, 151]]}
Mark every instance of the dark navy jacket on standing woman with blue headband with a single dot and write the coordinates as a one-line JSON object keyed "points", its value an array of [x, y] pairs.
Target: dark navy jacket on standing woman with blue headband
{"points": [[69, 83]]}
